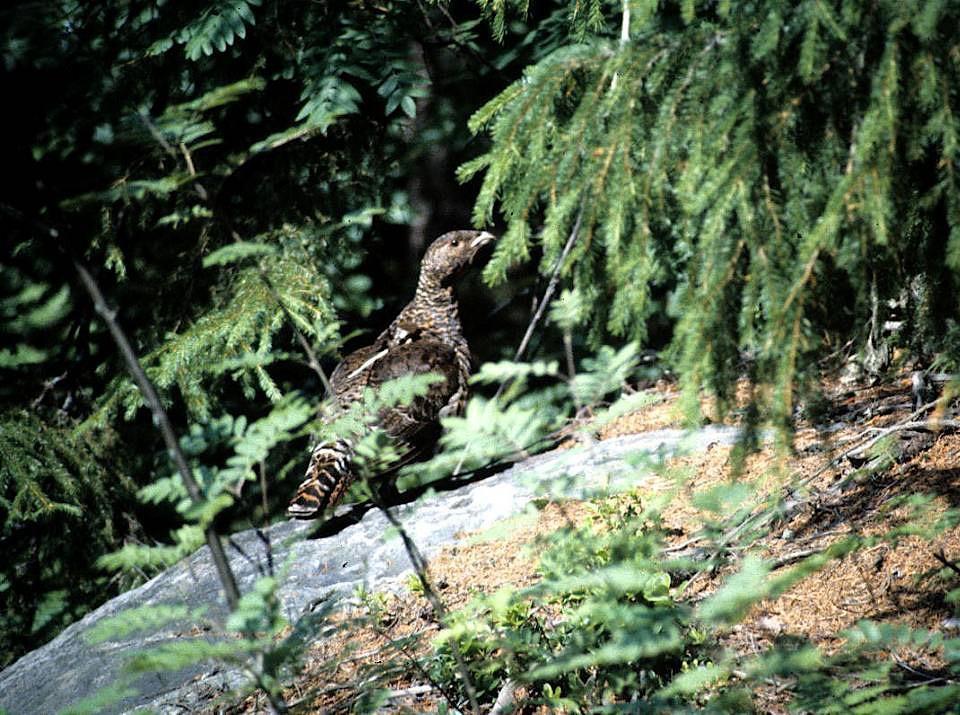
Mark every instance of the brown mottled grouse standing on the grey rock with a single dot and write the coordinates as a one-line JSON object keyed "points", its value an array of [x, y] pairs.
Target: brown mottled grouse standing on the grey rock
{"points": [[425, 337]]}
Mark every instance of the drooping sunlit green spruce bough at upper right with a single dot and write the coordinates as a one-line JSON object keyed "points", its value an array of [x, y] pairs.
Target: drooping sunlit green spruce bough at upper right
{"points": [[765, 173]]}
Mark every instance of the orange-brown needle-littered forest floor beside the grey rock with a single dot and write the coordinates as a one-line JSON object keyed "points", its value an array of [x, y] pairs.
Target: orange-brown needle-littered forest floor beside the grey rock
{"points": [[896, 583]]}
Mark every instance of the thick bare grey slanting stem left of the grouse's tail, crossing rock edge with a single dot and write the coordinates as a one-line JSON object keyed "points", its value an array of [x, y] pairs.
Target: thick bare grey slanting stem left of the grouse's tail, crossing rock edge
{"points": [[160, 418]]}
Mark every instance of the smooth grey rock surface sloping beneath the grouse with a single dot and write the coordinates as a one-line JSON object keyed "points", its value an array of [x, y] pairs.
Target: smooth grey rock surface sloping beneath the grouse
{"points": [[345, 553]]}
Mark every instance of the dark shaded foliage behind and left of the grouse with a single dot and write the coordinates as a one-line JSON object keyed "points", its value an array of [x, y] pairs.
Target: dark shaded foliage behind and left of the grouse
{"points": [[224, 169]]}
